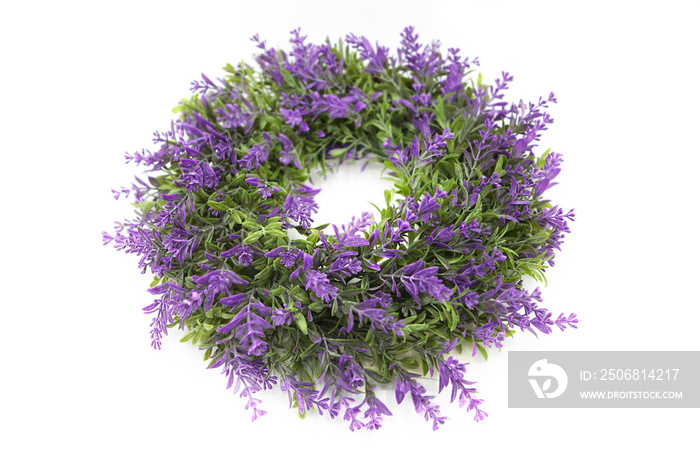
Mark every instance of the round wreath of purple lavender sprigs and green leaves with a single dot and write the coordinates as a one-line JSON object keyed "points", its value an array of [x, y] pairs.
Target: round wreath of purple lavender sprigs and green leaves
{"points": [[332, 314]]}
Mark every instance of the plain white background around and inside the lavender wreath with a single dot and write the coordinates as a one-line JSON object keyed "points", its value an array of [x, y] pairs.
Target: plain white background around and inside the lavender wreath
{"points": [[82, 83]]}
